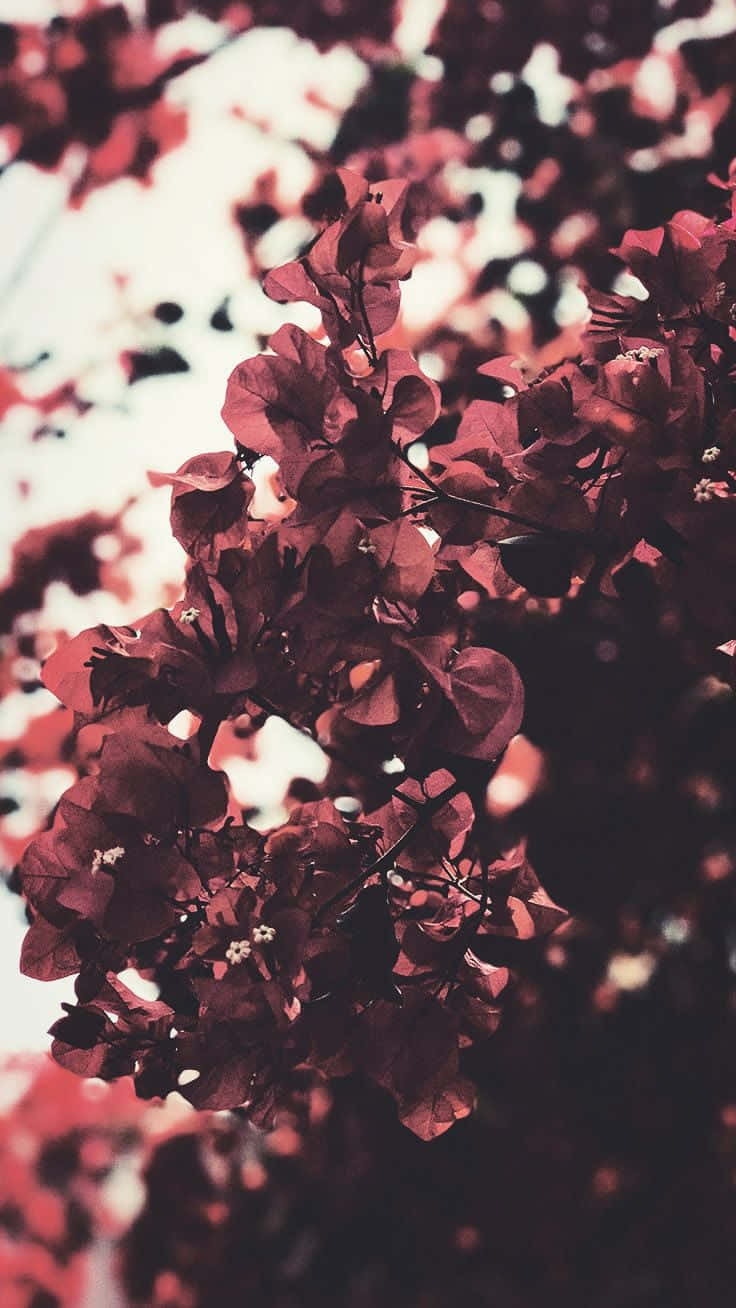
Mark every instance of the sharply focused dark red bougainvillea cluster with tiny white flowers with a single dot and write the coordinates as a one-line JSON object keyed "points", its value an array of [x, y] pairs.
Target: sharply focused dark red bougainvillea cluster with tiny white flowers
{"points": [[376, 944]]}
